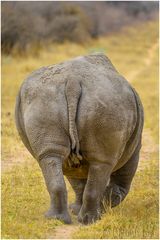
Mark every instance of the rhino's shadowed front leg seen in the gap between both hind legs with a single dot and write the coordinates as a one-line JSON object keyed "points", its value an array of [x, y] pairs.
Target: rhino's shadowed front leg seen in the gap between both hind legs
{"points": [[78, 186]]}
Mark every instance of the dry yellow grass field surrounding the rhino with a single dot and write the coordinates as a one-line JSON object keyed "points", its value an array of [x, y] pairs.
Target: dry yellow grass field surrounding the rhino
{"points": [[24, 196]]}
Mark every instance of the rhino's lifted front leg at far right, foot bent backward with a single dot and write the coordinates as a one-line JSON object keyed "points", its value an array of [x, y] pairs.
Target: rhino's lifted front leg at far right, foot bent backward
{"points": [[120, 181]]}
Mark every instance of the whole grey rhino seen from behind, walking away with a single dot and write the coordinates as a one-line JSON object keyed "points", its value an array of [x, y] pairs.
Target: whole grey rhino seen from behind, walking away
{"points": [[82, 119]]}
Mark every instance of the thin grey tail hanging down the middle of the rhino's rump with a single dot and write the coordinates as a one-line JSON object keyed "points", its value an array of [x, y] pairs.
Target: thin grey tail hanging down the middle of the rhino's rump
{"points": [[73, 93]]}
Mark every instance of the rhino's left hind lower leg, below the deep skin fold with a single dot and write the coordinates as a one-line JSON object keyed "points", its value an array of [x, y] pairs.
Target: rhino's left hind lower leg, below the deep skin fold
{"points": [[53, 175]]}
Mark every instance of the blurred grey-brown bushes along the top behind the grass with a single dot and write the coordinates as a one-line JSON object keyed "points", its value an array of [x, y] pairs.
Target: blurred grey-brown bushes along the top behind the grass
{"points": [[29, 25]]}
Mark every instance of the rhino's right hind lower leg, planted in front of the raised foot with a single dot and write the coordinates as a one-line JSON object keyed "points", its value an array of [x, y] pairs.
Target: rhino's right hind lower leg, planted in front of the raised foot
{"points": [[98, 177]]}
